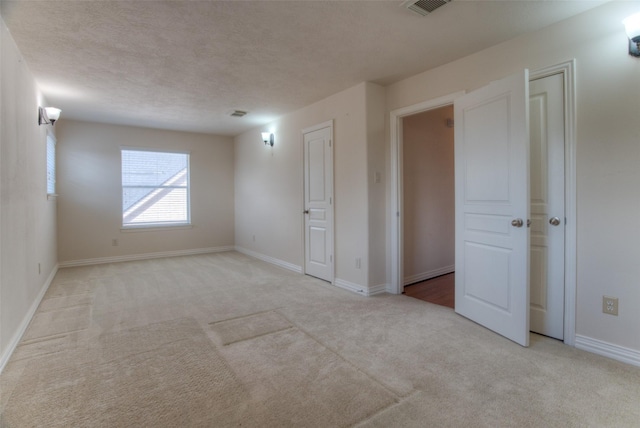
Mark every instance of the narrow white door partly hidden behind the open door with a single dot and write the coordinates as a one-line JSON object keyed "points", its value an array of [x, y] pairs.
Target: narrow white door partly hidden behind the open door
{"points": [[546, 106]]}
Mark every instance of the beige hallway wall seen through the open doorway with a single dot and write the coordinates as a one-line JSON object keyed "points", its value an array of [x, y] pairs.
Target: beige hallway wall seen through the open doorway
{"points": [[428, 194]]}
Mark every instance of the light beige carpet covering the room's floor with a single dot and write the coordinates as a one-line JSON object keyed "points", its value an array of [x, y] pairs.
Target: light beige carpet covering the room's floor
{"points": [[223, 340]]}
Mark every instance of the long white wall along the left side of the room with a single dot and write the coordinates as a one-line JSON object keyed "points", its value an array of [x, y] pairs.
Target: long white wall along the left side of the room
{"points": [[27, 217]]}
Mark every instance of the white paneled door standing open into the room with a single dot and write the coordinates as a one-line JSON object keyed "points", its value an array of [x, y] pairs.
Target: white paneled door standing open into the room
{"points": [[492, 206]]}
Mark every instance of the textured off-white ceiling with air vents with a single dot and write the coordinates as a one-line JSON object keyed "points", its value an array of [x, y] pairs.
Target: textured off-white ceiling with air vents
{"points": [[185, 65]]}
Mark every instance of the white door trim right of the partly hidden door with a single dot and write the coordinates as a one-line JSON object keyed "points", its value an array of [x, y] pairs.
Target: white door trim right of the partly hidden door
{"points": [[568, 69]]}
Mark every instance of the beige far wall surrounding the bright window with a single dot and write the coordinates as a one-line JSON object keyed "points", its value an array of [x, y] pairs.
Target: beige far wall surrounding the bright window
{"points": [[89, 184]]}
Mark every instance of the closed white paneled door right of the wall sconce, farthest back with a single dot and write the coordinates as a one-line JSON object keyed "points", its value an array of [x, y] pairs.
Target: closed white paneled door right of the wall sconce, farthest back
{"points": [[318, 201]]}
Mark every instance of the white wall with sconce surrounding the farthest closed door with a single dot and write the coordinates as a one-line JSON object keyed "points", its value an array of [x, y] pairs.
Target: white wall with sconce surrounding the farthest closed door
{"points": [[269, 183]]}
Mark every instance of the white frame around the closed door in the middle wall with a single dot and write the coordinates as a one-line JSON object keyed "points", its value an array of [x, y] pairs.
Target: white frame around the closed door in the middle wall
{"points": [[327, 124]]}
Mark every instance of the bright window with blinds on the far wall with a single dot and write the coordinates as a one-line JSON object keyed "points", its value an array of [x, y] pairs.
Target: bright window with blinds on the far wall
{"points": [[155, 188]]}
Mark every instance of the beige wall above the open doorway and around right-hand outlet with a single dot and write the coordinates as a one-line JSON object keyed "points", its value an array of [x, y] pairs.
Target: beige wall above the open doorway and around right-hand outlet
{"points": [[608, 150]]}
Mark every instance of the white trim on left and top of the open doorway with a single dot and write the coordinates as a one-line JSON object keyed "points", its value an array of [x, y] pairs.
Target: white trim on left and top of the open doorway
{"points": [[396, 284]]}
